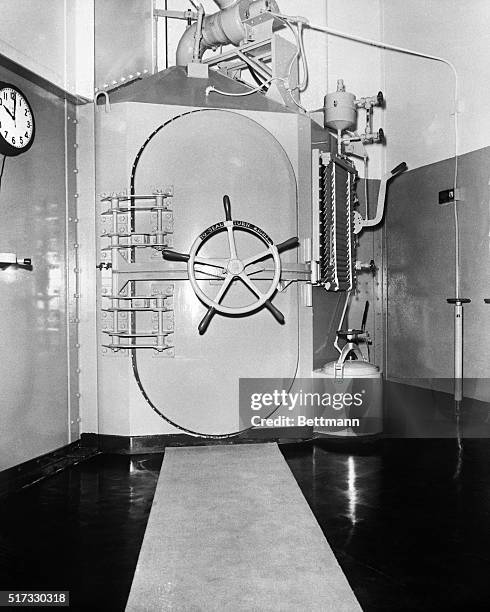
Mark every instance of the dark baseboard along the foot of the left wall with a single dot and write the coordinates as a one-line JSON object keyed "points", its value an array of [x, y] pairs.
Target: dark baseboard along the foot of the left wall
{"points": [[20, 476]]}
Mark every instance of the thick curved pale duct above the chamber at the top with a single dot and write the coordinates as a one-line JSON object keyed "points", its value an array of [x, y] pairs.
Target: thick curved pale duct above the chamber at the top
{"points": [[225, 27]]}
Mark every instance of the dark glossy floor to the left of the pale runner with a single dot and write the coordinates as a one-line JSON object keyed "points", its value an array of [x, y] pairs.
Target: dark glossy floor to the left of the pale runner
{"points": [[80, 530]]}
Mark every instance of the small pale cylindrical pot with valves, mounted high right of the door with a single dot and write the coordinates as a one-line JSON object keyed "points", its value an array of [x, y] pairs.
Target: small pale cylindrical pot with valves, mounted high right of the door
{"points": [[340, 113]]}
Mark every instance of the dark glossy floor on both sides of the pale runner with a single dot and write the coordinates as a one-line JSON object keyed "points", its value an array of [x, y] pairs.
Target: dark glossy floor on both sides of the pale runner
{"points": [[409, 521]]}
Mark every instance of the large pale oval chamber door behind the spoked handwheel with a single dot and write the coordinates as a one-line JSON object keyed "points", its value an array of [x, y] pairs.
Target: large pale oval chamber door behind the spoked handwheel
{"points": [[204, 156]]}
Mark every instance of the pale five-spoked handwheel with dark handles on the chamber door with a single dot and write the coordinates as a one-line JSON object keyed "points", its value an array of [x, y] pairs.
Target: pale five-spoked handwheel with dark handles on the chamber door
{"points": [[233, 268]]}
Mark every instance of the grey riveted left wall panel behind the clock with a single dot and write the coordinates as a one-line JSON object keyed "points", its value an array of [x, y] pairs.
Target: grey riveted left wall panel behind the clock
{"points": [[35, 367]]}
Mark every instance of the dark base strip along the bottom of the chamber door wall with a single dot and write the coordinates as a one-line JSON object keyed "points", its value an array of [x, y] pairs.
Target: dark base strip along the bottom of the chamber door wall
{"points": [[133, 445]]}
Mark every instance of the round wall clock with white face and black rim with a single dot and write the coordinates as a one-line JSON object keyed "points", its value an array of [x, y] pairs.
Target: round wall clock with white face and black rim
{"points": [[17, 126]]}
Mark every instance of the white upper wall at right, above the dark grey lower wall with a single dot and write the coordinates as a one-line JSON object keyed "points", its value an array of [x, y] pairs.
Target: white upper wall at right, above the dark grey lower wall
{"points": [[421, 92]]}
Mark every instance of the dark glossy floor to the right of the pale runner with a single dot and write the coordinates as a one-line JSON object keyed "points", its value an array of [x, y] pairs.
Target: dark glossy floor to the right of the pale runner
{"points": [[409, 520]]}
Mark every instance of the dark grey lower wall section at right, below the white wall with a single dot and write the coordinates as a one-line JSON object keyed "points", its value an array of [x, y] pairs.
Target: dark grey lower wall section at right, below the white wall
{"points": [[420, 267]]}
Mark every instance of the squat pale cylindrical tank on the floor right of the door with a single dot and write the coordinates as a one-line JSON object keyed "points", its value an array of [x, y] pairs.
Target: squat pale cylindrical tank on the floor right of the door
{"points": [[358, 408]]}
